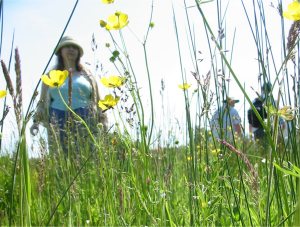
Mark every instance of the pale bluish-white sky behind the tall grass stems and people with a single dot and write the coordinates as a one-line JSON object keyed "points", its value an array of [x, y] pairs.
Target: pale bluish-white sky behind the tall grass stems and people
{"points": [[38, 25]]}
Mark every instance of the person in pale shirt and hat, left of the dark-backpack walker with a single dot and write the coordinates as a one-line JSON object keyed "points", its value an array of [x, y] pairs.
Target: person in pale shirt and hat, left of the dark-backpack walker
{"points": [[226, 122]]}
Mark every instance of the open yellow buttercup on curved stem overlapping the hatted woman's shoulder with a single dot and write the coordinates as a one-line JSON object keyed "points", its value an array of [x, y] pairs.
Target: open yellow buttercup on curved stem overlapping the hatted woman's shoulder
{"points": [[56, 78]]}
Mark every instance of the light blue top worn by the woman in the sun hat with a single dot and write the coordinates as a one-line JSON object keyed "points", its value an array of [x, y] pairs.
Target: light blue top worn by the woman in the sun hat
{"points": [[81, 93]]}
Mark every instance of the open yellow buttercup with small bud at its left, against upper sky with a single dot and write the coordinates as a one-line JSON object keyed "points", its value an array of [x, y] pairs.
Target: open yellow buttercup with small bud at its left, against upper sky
{"points": [[116, 21]]}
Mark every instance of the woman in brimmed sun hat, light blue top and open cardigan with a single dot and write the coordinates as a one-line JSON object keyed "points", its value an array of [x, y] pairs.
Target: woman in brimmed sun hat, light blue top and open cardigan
{"points": [[52, 113]]}
